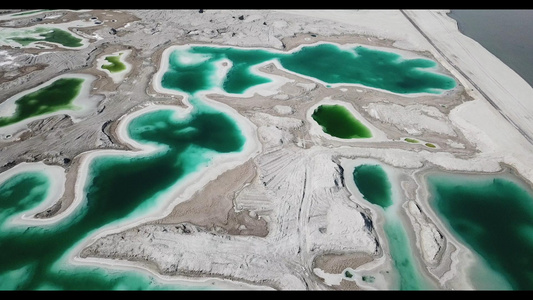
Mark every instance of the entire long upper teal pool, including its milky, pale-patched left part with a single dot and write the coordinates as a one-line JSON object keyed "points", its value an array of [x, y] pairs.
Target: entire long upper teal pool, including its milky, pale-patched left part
{"points": [[191, 69]]}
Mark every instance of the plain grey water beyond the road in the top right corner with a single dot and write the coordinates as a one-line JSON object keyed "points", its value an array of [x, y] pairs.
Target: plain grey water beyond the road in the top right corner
{"points": [[506, 33]]}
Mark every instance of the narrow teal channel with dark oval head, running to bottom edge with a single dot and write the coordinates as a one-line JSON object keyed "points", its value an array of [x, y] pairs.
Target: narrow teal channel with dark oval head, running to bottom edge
{"points": [[375, 186]]}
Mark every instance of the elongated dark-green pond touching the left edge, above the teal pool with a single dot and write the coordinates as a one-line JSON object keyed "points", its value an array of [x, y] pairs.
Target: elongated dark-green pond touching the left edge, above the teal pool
{"points": [[57, 96]]}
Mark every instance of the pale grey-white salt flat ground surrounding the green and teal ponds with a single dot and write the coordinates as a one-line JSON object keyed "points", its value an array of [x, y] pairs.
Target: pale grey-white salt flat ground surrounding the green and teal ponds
{"points": [[283, 213]]}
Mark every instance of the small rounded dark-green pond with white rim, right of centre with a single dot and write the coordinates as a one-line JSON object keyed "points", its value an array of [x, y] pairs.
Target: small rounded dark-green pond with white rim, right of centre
{"points": [[338, 121]]}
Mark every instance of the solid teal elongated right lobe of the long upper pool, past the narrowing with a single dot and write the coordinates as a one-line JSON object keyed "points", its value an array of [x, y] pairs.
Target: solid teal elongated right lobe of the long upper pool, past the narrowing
{"points": [[368, 67]]}
